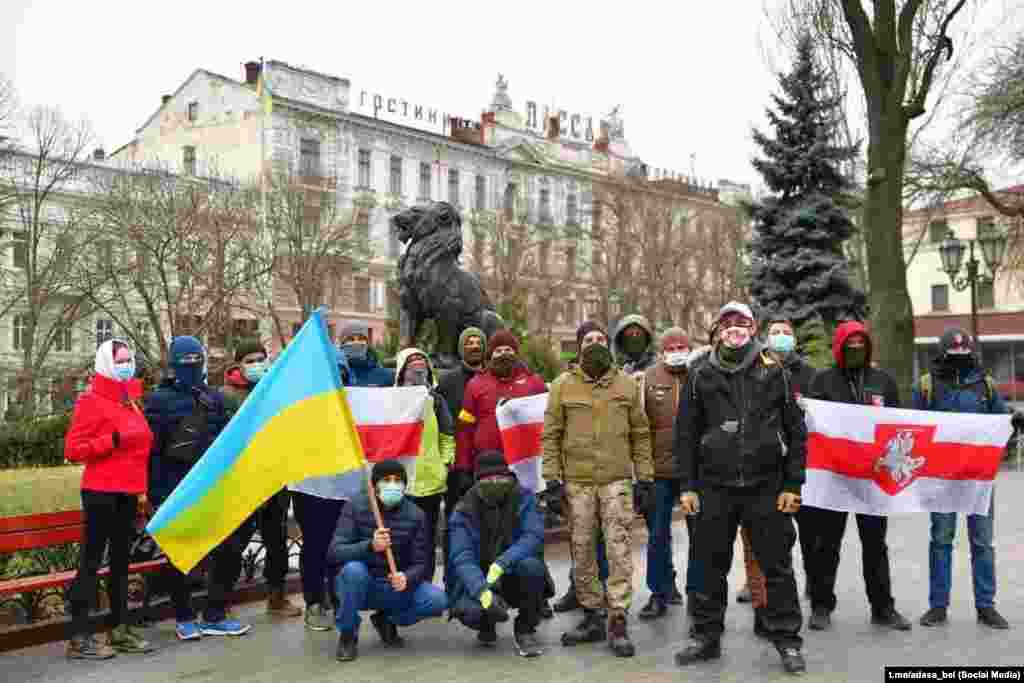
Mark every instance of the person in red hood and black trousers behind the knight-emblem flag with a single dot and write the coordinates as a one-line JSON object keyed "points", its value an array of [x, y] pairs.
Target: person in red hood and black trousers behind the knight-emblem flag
{"points": [[851, 381]]}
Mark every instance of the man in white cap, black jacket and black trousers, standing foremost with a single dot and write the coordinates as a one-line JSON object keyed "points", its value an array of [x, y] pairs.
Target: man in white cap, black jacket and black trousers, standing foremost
{"points": [[742, 448]]}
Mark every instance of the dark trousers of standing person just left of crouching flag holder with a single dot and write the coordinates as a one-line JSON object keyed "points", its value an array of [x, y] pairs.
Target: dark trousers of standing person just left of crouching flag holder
{"points": [[318, 519]]}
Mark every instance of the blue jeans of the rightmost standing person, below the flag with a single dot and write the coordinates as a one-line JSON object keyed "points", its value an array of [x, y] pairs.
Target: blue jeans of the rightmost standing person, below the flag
{"points": [[979, 531]]}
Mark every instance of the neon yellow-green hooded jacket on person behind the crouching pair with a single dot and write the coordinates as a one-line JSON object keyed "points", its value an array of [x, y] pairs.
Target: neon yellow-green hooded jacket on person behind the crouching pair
{"points": [[438, 443]]}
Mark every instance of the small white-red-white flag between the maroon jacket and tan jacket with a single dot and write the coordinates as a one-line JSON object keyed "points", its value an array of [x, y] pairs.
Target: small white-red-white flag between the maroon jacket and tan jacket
{"points": [[522, 423]]}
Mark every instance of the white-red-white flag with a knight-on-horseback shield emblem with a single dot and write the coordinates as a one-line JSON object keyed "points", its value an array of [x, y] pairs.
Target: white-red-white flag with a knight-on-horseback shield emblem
{"points": [[885, 461]]}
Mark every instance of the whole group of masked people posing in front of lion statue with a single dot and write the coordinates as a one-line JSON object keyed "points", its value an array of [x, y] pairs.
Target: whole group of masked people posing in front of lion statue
{"points": [[638, 425]]}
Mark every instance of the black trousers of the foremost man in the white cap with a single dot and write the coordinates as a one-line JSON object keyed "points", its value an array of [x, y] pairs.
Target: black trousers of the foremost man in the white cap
{"points": [[773, 538]]}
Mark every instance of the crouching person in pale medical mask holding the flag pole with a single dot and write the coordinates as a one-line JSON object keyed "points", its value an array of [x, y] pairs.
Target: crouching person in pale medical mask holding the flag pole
{"points": [[365, 581]]}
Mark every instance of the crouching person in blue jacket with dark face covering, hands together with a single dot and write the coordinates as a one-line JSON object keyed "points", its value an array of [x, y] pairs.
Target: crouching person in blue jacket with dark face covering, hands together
{"points": [[497, 537]]}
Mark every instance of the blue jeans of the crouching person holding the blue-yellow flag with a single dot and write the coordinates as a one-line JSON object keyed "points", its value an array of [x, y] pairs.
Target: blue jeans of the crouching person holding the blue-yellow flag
{"points": [[358, 590]]}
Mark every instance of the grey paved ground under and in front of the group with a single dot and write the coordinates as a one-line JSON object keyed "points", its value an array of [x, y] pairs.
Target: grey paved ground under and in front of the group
{"points": [[439, 651]]}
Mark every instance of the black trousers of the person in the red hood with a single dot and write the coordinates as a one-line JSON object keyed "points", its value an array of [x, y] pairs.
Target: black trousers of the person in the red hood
{"points": [[829, 528]]}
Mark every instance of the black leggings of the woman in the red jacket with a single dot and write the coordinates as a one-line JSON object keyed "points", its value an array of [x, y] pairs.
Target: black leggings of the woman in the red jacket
{"points": [[110, 521]]}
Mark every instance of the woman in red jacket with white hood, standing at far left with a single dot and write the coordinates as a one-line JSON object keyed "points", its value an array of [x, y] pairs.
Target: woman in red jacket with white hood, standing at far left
{"points": [[111, 437]]}
